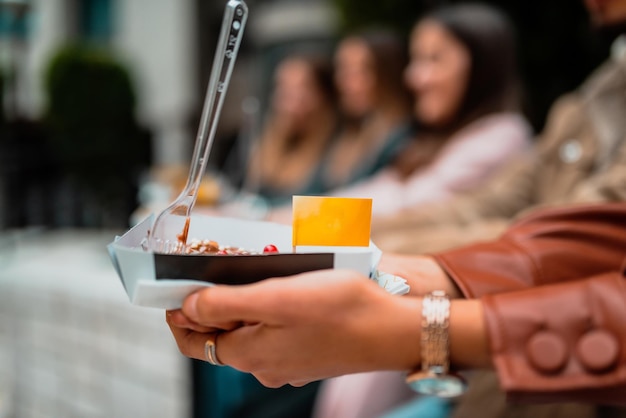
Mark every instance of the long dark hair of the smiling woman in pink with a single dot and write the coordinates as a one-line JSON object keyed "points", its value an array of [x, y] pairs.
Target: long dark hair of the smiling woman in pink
{"points": [[489, 37]]}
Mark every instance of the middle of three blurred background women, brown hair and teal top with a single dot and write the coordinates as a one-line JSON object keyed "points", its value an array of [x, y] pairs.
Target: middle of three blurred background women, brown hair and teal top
{"points": [[374, 105]]}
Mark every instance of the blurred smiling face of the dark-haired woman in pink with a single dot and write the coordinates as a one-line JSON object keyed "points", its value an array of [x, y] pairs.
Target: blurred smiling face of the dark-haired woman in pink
{"points": [[437, 74]]}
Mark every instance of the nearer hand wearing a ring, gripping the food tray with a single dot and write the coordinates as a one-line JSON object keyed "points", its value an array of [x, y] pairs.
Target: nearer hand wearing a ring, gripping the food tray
{"points": [[302, 328]]}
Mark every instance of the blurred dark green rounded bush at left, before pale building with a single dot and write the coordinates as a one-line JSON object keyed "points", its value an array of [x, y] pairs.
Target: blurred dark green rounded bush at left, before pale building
{"points": [[91, 125]]}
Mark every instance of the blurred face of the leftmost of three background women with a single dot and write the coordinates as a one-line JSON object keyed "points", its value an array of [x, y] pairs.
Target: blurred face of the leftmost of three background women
{"points": [[296, 96]]}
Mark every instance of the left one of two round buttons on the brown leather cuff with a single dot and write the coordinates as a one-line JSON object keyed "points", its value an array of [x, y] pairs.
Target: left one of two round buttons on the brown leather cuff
{"points": [[547, 352]]}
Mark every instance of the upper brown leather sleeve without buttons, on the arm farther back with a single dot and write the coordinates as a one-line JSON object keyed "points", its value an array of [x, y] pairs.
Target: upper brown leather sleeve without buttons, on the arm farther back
{"points": [[549, 246]]}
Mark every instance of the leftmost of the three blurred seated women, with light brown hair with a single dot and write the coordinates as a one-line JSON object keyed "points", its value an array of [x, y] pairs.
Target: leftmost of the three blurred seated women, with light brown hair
{"points": [[300, 126]]}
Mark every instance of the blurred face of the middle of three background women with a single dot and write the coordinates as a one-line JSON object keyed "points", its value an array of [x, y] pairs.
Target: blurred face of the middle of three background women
{"points": [[355, 77]]}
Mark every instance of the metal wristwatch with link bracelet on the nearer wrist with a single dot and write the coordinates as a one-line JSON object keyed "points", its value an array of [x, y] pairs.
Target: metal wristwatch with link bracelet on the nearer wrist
{"points": [[433, 377]]}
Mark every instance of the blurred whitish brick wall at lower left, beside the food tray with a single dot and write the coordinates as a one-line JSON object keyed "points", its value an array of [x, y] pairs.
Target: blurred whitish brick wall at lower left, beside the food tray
{"points": [[71, 345]]}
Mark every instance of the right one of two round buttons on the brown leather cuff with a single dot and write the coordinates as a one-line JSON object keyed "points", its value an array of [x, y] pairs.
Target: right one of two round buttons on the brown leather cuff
{"points": [[597, 350]]}
